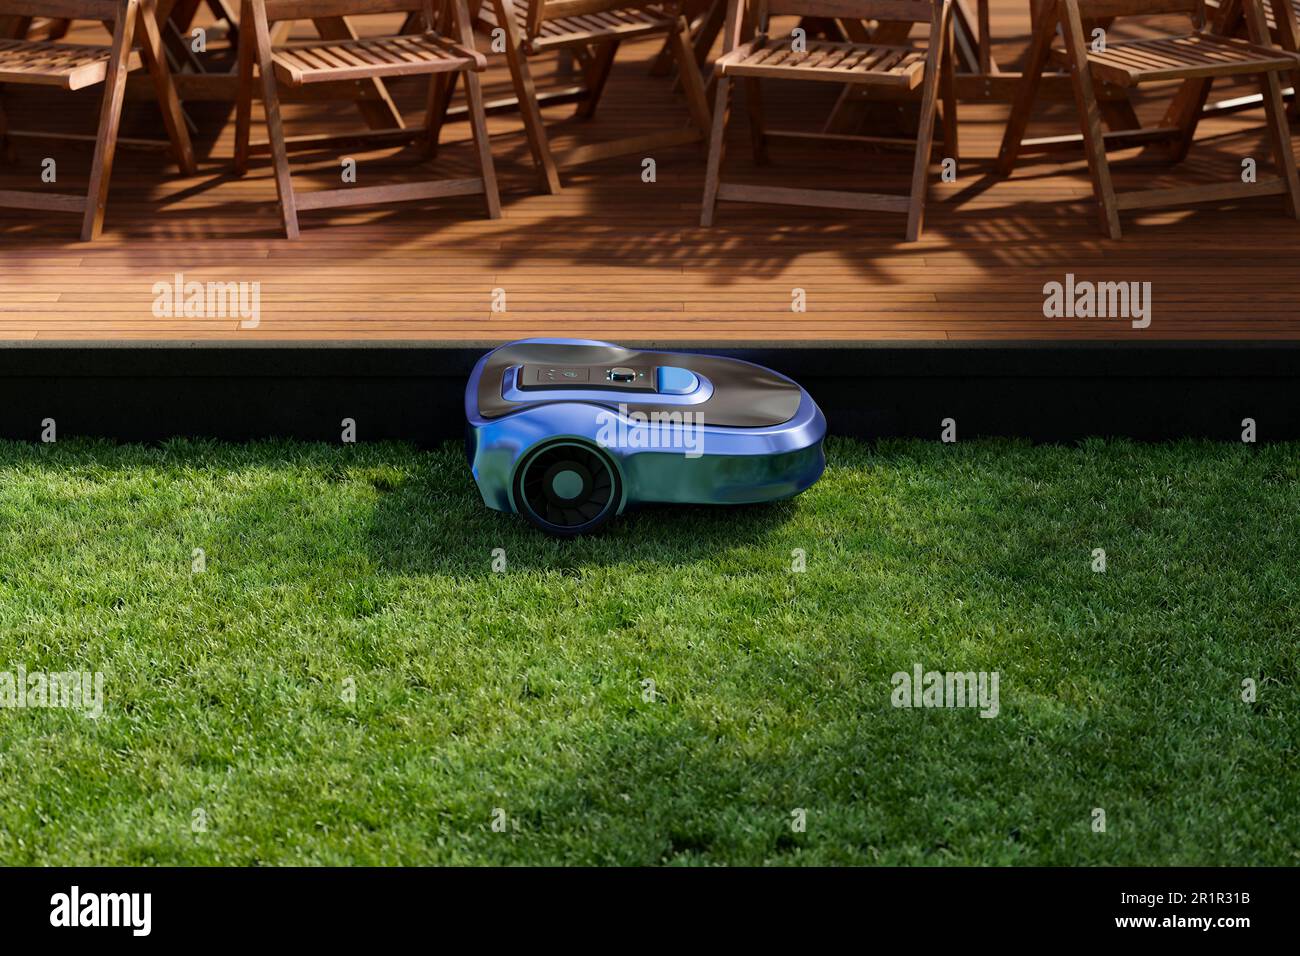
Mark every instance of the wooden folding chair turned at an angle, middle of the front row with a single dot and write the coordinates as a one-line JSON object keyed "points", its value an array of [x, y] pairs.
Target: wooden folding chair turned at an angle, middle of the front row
{"points": [[543, 25]]}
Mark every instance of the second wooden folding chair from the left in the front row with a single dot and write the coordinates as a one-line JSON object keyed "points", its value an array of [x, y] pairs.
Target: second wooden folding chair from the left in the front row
{"points": [[327, 60]]}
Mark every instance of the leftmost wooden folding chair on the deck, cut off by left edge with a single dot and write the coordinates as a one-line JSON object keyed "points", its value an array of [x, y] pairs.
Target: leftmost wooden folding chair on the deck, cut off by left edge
{"points": [[75, 67]]}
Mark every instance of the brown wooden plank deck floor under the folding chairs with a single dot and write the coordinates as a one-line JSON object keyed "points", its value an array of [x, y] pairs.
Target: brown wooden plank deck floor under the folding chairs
{"points": [[618, 258]]}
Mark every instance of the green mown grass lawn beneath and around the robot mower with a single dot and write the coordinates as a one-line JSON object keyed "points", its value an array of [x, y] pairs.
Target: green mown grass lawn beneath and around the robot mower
{"points": [[371, 568]]}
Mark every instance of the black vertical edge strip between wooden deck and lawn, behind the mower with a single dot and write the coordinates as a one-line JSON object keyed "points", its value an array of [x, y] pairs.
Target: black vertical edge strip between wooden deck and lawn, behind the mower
{"points": [[413, 391]]}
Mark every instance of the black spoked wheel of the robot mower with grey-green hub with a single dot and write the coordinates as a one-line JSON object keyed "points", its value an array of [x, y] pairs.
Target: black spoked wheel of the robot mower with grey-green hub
{"points": [[567, 488]]}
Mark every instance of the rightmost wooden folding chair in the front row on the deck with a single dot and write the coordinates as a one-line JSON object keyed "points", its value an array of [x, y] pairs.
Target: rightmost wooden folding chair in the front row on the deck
{"points": [[1201, 57]]}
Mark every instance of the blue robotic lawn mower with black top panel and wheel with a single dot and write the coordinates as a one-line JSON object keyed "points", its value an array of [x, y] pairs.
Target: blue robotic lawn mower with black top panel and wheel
{"points": [[570, 432]]}
